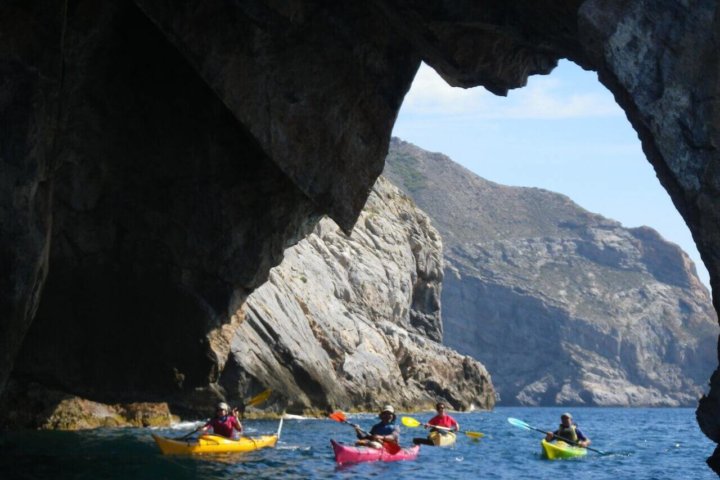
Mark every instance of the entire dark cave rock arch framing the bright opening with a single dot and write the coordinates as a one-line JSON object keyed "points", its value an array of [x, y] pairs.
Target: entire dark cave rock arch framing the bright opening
{"points": [[313, 89]]}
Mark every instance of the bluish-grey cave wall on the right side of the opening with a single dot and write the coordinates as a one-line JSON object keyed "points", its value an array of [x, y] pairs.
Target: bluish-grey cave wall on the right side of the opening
{"points": [[662, 65]]}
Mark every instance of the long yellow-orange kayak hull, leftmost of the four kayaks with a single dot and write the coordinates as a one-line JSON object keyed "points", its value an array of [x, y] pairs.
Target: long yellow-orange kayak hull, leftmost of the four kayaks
{"points": [[214, 444]]}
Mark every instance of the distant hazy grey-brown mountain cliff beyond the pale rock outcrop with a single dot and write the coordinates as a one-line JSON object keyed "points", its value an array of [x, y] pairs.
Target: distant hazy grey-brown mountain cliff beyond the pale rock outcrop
{"points": [[623, 316]]}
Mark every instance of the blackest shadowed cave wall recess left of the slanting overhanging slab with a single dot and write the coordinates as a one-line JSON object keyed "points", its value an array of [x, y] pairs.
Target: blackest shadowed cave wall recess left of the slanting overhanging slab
{"points": [[166, 215]]}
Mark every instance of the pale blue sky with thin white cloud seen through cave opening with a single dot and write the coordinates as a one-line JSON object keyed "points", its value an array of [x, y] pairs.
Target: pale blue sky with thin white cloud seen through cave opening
{"points": [[562, 132]]}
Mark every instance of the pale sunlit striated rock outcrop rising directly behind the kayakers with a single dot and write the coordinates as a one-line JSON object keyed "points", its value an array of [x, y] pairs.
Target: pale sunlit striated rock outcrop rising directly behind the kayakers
{"points": [[354, 321]]}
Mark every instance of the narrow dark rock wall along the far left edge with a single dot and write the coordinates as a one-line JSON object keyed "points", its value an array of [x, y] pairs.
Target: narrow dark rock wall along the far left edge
{"points": [[30, 70]]}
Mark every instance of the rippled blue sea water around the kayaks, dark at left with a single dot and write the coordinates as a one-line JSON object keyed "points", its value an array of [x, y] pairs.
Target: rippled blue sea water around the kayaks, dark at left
{"points": [[645, 444]]}
